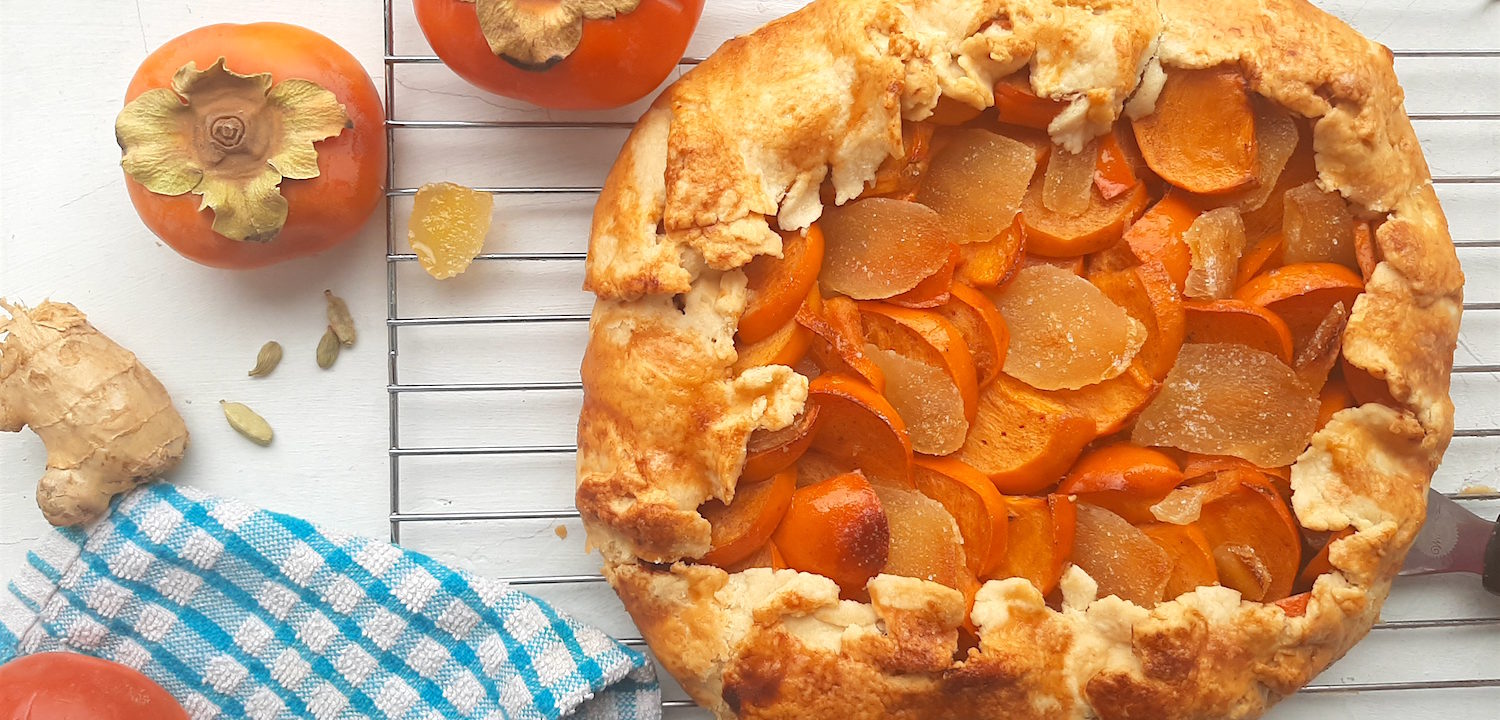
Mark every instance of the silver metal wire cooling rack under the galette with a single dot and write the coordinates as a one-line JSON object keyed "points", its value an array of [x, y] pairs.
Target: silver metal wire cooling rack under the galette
{"points": [[676, 703]]}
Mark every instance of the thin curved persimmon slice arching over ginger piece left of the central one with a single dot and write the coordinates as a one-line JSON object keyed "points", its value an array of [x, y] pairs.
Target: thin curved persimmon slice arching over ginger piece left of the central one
{"points": [[929, 338]]}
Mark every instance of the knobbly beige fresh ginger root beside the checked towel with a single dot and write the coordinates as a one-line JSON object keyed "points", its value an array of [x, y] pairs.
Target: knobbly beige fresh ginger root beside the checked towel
{"points": [[106, 421]]}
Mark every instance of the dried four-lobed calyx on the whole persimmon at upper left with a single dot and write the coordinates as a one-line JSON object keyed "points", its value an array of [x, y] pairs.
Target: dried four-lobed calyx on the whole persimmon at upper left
{"points": [[230, 139]]}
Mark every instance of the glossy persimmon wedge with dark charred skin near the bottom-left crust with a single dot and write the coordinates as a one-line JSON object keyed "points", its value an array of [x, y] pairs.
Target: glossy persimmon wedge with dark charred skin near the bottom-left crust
{"points": [[836, 529]]}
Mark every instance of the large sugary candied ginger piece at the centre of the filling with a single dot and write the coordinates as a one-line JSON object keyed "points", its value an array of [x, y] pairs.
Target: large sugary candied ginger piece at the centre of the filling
{"points": [[1066, 334]]}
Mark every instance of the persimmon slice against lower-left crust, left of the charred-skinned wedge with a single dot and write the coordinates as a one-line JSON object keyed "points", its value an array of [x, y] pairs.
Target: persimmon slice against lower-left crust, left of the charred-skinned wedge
{"points": [[748, 521]]}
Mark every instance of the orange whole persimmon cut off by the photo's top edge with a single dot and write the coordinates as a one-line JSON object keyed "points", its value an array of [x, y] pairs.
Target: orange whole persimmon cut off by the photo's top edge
{"points": [[565, 55]]}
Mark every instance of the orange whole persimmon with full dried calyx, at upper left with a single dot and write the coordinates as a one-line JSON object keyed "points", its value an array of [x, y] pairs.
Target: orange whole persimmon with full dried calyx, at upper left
{"points": [[251, 145]]}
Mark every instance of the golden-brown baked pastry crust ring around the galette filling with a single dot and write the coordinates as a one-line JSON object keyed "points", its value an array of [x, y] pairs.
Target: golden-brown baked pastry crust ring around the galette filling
{"points": [[751, 136]]}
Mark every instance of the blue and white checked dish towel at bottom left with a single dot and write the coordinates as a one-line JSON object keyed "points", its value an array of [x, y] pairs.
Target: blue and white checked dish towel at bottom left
{"points": [[244, 613]]}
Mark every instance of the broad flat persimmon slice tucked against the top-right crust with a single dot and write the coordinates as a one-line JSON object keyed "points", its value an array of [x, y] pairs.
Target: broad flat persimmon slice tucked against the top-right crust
{"points": [[1202, 136]]}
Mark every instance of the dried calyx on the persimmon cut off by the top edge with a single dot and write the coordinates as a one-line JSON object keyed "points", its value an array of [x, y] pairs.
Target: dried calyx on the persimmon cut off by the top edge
{"points": [[536, 35]]}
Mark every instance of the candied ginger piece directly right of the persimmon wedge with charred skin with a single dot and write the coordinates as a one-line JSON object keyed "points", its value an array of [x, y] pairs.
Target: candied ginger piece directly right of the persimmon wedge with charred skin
{"points": [[925, 538]]}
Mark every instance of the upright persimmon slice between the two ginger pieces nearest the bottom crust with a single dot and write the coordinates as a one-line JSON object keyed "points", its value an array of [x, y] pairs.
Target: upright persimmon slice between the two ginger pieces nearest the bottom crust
{"points": [[1042, 538]]}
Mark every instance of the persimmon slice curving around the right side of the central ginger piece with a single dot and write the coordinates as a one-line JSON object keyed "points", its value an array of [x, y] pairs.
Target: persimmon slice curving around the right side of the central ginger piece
{"points": [[1148, 295]]}
